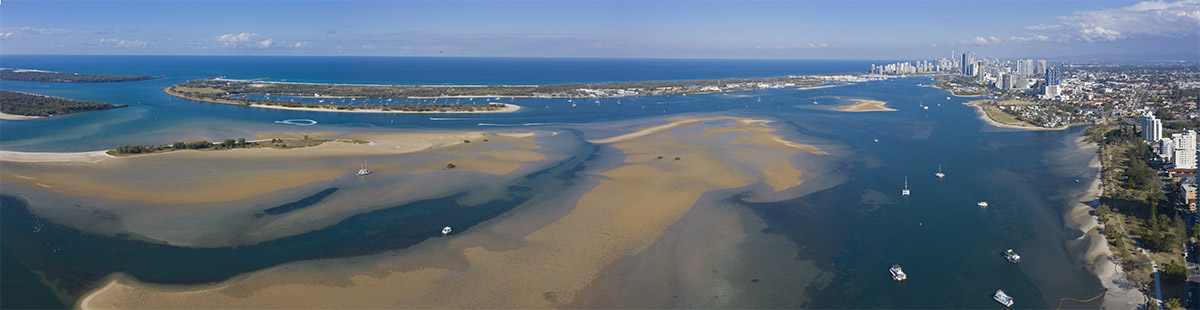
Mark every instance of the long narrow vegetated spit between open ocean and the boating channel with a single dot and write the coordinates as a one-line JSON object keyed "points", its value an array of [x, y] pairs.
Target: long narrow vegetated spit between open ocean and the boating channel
{"points": [[284, 96]]}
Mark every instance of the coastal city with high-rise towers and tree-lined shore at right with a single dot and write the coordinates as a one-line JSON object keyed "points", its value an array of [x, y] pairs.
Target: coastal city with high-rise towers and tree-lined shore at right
{"points": [[1144, 120]]}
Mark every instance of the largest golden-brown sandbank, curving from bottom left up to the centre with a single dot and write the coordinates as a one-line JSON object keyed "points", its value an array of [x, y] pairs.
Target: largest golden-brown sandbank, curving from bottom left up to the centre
{"points": [[632, 206]]}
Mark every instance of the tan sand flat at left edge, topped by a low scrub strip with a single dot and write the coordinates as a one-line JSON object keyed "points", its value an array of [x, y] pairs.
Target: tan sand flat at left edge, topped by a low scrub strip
{"points": [[224, 176]]}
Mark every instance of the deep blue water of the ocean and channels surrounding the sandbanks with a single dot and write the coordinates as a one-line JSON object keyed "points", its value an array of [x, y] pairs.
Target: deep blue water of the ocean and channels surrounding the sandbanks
{"points": [[950, 248]]}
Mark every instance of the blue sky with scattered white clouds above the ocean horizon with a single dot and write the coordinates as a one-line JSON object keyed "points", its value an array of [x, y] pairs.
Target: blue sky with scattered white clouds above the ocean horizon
{"points": [[623, 29]]}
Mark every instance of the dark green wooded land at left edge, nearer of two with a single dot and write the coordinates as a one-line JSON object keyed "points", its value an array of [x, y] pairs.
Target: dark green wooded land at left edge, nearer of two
{"points": [[21, 104]]}
